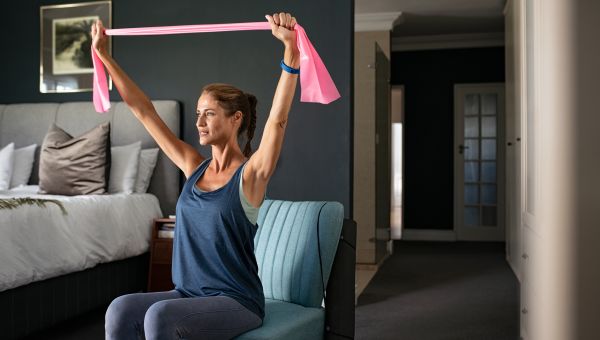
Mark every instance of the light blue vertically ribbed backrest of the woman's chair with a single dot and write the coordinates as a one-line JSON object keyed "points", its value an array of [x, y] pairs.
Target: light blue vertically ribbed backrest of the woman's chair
{"points": [[295, 245]]}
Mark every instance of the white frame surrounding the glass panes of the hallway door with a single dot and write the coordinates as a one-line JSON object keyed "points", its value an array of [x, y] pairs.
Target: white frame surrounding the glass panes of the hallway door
{"points": [[477, 233]]}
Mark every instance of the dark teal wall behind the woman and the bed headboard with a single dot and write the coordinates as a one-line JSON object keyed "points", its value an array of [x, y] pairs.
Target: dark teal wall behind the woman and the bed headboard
{"points": [[316, 159]]}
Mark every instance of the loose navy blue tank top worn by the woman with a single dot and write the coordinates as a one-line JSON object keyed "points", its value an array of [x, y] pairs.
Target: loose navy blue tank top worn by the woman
{"points": [[213, 247]]}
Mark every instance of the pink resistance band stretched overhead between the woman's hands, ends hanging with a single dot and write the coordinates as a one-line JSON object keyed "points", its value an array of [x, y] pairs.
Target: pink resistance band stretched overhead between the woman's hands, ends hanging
{"points": [[315, 82]]}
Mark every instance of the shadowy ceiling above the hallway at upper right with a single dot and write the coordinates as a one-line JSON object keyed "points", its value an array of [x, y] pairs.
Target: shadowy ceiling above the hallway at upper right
{"points": [[439, 17]]}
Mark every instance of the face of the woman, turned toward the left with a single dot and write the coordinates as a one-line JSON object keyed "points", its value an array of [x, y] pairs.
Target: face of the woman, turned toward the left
{"points": [[214, 127]]}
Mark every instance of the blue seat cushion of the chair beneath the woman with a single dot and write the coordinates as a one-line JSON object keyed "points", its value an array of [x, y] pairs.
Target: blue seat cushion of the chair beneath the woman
{"points": [[289, 321]]}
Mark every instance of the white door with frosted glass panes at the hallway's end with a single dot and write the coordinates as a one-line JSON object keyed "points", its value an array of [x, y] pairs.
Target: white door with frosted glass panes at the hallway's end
{"points": [[479, 162]]}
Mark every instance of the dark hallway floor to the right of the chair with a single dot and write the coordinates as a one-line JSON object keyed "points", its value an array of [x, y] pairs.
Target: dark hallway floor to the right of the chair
{"points": [[441, 291]]}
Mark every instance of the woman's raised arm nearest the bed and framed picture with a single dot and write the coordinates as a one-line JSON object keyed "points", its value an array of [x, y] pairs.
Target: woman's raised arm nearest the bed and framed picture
{"points": [[182, 154]]}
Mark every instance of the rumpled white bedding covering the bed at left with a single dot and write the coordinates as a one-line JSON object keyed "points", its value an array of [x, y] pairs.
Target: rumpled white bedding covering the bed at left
{"points": [[38, 243]]}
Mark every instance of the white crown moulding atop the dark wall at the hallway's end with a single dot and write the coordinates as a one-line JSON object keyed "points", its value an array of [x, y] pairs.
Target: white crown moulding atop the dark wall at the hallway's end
{"points": [[447, 41]]}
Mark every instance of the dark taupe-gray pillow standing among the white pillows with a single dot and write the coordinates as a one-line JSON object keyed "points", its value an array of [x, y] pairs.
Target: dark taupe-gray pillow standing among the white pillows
{"points": [[75, 166]]}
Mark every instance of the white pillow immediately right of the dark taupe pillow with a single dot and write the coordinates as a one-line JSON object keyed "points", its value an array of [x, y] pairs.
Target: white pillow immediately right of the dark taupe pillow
{"points": [[123, 167]]}
